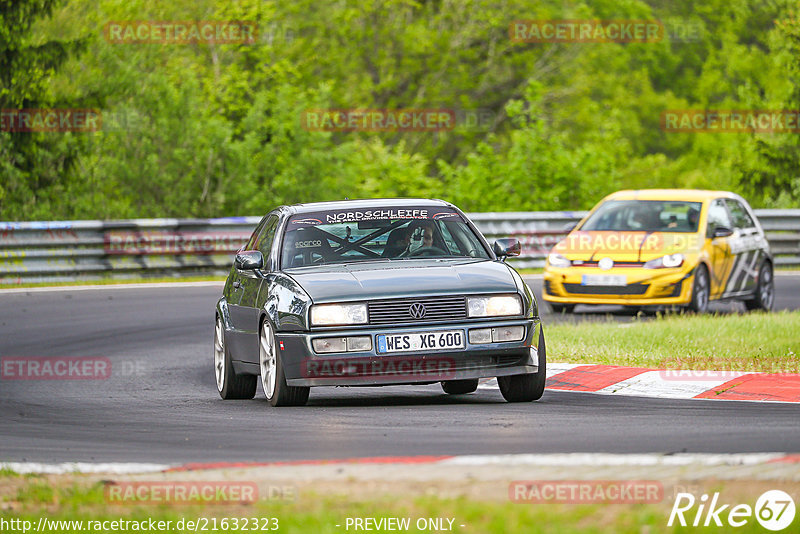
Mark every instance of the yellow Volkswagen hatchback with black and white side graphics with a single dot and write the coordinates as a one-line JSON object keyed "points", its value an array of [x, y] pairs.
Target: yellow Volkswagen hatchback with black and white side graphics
{"points": [[663, 247]]}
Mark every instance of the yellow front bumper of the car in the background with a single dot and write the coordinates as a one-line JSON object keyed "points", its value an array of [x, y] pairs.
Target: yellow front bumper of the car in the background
{"points": [[644, 286]]}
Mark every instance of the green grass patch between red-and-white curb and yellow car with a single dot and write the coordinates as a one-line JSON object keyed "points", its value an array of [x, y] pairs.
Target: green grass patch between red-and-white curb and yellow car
{"points": [[762, 342]]}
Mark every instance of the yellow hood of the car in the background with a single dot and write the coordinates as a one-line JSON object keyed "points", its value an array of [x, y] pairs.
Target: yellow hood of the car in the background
{"points": [[626, 246]]}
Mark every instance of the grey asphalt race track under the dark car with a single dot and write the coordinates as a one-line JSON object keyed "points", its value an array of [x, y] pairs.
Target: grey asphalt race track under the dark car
{"points": [[160, 403]]}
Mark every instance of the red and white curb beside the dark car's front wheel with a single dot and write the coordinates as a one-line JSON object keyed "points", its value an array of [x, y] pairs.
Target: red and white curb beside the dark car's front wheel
{"points": [[670, 384]]}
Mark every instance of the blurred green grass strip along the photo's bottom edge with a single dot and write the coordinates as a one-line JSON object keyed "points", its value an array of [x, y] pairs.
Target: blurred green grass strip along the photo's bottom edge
{"points": [[320, 514]]}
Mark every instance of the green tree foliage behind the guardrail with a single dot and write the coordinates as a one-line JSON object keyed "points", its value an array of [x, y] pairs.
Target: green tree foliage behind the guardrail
{"points": [[215, 129]]}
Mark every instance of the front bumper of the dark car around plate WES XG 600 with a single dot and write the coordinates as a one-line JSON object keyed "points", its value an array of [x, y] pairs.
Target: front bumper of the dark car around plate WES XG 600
{"points": [[304, 367]]}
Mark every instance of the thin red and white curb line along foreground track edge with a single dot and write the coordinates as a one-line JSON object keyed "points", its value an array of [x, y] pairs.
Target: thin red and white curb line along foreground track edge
{"points": [[478, 460]]}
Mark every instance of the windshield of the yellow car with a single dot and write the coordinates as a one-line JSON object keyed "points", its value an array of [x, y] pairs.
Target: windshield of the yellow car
{"points": [[644, 216]]}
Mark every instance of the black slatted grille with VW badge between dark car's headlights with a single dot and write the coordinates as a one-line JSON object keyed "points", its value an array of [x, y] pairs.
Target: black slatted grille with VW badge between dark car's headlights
{"points": [[399, 310]]}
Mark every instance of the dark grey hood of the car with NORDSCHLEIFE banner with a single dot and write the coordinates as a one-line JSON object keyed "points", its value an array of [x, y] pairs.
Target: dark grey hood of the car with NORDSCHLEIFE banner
{"points": [[405, 278]]}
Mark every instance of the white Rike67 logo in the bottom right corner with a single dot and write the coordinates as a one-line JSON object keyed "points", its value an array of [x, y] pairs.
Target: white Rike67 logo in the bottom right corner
{"points": [[774, 510]]}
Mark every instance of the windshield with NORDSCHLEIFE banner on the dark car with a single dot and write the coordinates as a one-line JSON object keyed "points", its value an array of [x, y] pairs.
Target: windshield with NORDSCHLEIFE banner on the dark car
{"points": [[340, 236]]}
